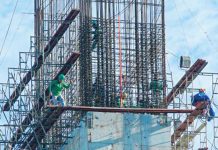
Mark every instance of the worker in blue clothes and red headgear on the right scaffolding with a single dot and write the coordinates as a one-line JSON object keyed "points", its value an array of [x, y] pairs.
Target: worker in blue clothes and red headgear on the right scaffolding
{"points": [[202, 97]]}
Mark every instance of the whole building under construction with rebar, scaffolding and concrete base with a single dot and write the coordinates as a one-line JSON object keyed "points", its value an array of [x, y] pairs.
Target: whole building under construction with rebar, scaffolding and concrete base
{"points": [[122, 96]]}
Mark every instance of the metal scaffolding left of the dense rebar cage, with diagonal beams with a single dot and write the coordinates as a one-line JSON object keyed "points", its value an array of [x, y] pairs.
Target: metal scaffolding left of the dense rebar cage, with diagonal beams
{"points": [[52, 51]]}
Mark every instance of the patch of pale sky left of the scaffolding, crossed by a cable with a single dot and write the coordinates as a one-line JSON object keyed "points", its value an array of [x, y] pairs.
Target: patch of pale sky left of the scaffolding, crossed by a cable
{"points": [[18, 38]]}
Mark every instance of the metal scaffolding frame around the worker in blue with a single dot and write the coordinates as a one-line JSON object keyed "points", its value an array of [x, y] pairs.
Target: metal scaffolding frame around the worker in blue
{"points": [[194, 126]]}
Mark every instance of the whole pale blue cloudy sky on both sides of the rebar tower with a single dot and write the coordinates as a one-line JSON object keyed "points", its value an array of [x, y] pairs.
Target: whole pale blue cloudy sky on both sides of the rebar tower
{"points": [[191, 30]]}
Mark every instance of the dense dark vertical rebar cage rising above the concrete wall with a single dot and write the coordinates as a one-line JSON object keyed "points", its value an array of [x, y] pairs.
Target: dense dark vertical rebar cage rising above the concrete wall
{"points": [[122, 52]]}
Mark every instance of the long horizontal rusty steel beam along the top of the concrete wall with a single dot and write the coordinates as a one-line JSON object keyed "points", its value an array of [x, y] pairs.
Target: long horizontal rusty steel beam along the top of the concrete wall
{"points": [[121, 110]]}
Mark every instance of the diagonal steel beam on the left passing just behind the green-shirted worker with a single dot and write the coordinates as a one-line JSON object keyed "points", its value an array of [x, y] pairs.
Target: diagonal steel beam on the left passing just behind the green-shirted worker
{"points": [[40, 103]]}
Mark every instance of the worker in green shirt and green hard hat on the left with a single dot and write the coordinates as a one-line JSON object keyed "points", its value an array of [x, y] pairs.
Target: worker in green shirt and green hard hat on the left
{"points": [[55, 89]]}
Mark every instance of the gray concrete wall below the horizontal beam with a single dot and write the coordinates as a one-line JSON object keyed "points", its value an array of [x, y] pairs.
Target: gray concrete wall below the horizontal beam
{"points": [[115, 131]]}
